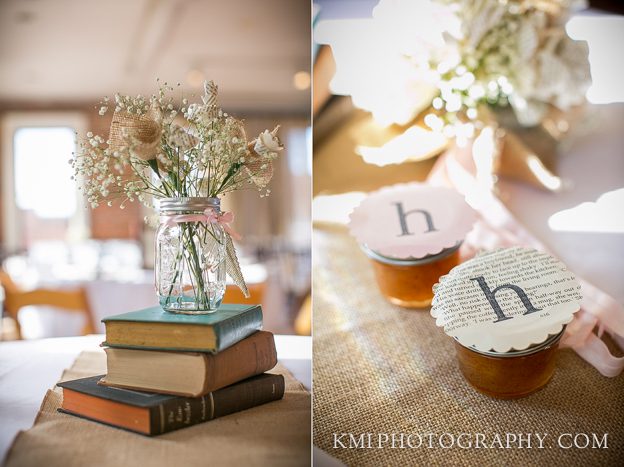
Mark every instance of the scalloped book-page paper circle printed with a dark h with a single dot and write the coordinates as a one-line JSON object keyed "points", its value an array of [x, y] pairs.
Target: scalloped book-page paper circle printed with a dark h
{"points": [[551, 297]]}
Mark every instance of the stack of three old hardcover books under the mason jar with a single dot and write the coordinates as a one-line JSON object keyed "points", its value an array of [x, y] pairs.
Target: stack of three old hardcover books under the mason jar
{"points": [[168, 371]]}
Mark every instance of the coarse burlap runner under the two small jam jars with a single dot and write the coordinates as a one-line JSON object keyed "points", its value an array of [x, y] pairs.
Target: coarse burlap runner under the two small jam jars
{"points": [[381, 369]]}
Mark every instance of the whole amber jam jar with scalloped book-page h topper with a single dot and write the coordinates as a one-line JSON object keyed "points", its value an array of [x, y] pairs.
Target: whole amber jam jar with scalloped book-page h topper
{"points": [[507, 310]]}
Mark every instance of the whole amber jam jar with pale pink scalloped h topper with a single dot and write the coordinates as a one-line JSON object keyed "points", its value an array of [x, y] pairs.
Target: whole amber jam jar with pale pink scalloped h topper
{"points": [[412, 233]]}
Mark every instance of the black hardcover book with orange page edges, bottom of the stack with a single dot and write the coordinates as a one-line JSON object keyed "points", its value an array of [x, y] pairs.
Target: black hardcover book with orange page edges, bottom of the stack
{"points": [[153, 414]]}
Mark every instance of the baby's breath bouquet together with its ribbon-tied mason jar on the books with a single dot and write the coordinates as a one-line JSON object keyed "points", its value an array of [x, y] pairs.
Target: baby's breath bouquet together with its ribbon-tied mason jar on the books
{"points": [[185, 155]]}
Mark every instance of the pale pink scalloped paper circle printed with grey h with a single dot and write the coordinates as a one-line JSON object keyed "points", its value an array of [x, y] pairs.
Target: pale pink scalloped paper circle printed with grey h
{"points": [[411, 220]]}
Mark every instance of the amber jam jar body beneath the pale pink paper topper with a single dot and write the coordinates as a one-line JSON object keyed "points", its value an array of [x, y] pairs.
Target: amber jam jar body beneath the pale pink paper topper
{"points": [[409, 282]]}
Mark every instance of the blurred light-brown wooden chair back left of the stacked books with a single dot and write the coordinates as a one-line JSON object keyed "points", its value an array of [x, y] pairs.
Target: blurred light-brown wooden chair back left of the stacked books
{"points": [[72, 300]]}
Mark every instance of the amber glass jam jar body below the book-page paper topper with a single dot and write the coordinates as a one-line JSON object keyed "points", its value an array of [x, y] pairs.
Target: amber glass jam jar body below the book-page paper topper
{"points": [[509, 375]]}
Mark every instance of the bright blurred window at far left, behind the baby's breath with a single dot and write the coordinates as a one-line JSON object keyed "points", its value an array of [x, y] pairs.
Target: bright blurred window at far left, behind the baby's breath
{"points": [[40, 202]]}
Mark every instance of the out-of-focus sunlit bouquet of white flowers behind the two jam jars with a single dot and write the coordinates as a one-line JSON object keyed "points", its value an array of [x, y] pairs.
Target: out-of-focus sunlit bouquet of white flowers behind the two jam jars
{"points": [[469, 68]]}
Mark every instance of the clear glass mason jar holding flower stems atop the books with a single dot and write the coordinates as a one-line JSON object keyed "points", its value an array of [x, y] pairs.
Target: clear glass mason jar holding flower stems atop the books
{"points": [[190, 255]]}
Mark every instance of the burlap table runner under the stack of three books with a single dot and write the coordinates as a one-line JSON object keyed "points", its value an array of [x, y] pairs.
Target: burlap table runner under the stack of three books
{"points": [[277, 433]]}
